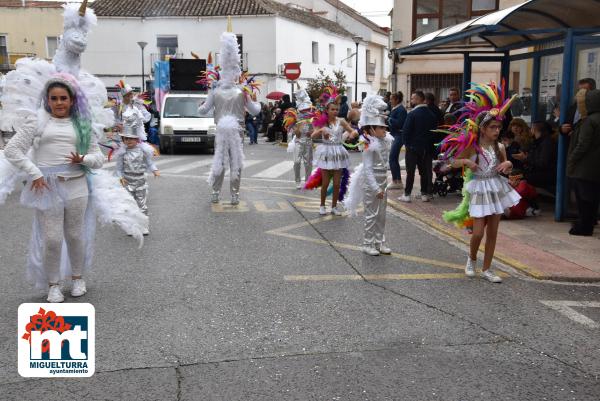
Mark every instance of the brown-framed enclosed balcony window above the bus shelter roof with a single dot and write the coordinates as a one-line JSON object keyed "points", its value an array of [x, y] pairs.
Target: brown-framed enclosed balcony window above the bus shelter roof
{"points": [[431, 15]]}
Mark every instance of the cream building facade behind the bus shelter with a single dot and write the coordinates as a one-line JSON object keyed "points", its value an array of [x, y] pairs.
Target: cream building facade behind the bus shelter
{"points": [[437, 73]]}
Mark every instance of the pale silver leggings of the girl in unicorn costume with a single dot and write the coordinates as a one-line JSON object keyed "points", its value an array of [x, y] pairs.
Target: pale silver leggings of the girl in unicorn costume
{"points": [[64, 223]]}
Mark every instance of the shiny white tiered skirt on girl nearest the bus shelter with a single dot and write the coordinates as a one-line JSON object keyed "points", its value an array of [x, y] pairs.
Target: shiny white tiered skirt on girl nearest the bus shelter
{"points": [[491, 196]]}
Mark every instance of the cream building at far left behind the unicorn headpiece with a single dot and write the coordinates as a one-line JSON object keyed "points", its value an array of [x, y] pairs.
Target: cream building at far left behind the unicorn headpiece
{"points": [[29, 30]]}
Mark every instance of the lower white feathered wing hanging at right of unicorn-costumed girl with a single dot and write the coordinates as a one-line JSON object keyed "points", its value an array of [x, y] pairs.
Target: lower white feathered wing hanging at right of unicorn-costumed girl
{"points": [[114, 205]]}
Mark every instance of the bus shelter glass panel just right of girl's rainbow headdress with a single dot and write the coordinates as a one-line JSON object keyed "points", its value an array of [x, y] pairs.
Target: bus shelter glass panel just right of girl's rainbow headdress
{"points": [[521, 82]]}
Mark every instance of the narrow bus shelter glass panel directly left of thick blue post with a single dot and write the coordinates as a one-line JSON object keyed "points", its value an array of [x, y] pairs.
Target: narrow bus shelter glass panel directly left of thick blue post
{"points": [[550, 84]]}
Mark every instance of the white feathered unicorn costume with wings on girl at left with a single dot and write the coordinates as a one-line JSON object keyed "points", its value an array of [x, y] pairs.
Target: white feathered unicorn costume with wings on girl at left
{"points": [[23, 111]]}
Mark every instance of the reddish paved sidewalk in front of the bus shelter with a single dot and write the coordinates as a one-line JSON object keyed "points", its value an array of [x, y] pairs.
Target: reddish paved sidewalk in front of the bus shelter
{"points": [[537, 246]]}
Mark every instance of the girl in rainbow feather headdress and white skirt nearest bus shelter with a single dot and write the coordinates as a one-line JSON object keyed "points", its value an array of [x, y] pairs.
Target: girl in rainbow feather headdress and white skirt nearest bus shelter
{"points": [[476, 147]]}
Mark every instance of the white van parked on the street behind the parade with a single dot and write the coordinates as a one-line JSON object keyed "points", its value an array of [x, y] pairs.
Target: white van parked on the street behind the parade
{"points": [[181, 125]]}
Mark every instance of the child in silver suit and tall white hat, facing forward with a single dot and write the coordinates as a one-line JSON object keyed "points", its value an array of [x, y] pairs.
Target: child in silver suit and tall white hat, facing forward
{"points": [[369, 181]]}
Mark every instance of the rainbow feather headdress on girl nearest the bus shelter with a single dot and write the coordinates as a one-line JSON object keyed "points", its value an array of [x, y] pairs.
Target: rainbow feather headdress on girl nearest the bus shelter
{"points": [[488, 102]]}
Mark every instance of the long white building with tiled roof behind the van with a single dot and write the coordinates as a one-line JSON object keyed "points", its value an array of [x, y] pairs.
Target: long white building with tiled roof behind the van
{"points": [[270, 34]]}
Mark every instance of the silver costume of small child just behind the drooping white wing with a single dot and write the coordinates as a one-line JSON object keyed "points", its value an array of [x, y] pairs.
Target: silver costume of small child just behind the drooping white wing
{"points": [[132, 165]]}
